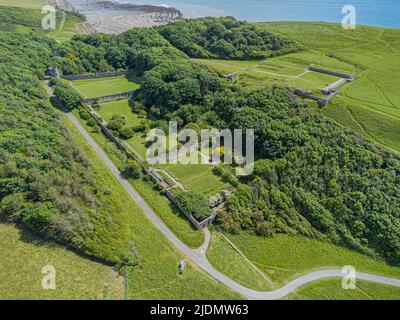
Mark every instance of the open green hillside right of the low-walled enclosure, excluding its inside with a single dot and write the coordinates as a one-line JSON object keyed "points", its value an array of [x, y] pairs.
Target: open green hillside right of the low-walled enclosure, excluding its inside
{"points": [[373, 99]]}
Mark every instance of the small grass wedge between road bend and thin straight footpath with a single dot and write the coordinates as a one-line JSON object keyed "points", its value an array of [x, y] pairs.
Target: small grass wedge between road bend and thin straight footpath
{"points": [[228, 261]]}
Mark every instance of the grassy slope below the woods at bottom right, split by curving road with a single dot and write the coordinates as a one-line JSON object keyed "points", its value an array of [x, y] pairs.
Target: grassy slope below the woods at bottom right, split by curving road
{"points": [[284, 258]]}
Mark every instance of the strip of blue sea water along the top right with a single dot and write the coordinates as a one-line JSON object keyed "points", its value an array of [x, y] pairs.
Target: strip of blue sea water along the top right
{"points": [[384, 13]]}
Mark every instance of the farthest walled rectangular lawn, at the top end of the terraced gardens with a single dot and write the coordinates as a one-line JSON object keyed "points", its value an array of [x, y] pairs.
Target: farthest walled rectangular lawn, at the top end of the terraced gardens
{"points": [[94, 88]]}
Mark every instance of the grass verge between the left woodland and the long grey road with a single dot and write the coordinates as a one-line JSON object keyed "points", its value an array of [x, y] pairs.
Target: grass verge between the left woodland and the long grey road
{"points": [[157, 277]]}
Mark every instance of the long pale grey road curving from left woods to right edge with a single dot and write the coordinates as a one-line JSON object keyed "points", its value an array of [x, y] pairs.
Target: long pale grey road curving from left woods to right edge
{"points": [[198, 256]]}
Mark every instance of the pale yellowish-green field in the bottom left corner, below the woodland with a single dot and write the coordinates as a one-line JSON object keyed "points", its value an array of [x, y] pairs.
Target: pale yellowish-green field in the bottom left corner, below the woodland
{"points": [[23, 255]]}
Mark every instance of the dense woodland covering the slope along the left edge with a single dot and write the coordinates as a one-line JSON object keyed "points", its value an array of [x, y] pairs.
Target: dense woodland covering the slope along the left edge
{"points": [[45, 180]]}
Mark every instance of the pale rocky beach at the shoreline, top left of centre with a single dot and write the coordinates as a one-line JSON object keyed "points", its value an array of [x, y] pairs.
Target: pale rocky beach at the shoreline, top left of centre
{"points": [[115, 17]]}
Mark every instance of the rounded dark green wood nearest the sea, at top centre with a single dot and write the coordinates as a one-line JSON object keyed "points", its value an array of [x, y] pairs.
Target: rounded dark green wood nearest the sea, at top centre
{"points": [[224, 38]]}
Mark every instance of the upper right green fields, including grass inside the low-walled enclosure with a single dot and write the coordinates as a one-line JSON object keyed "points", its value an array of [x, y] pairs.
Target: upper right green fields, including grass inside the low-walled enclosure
{"points": [[373, 54]]}
